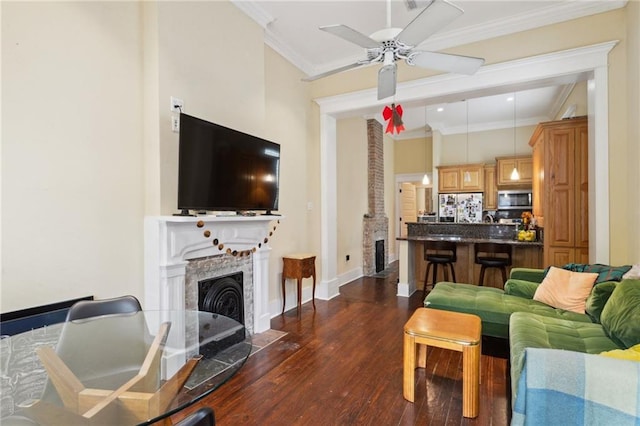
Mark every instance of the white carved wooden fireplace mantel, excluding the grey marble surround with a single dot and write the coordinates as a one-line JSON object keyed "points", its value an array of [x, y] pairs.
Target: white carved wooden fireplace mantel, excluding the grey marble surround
{"points": [[171, 241]]}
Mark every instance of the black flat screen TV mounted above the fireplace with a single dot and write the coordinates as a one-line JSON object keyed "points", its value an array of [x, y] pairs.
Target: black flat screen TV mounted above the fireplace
{"points": [[222, 169]]}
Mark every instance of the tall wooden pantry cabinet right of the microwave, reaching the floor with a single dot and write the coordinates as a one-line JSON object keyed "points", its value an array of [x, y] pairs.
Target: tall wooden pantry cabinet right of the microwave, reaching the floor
{"points": [[560, 189]]}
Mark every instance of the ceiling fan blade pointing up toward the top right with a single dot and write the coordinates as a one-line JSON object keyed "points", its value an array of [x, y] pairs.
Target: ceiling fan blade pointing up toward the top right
{"points": [[433, 18]]}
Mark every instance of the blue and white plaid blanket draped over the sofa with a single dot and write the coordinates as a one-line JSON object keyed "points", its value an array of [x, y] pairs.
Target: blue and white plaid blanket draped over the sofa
{"points": [[559, 387]]}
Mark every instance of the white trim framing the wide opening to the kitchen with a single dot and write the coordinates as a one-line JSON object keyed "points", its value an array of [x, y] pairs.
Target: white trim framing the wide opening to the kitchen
{"points": [[584, 63]]}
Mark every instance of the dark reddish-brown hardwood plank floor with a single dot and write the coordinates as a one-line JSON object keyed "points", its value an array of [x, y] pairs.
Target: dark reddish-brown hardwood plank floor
{"points": [[342, 365]]}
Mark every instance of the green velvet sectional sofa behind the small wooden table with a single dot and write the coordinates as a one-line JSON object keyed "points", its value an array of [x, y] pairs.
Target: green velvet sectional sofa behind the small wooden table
{"points": [[611, 321]]}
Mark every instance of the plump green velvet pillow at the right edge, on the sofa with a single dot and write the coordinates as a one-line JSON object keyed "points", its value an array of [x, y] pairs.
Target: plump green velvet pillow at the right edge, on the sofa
{"points": [[620, 317]]}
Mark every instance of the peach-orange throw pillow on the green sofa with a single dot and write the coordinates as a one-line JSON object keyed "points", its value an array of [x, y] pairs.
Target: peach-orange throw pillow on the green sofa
{"points": [[565, 289]]}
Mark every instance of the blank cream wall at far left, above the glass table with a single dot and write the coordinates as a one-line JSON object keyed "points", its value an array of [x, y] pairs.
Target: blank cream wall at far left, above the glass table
{"points": [[72, 168]]}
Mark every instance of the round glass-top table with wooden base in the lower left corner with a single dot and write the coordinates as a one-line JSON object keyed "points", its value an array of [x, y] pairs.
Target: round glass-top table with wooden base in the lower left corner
{"points": [[127, 369]]}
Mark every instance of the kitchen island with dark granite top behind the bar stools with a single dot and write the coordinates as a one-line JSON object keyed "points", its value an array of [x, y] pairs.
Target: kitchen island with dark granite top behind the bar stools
{"points": [[527, 254]]}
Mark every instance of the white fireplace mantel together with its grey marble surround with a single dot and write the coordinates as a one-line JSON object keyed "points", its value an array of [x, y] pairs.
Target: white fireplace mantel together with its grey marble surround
{"points": [[181, 250]]}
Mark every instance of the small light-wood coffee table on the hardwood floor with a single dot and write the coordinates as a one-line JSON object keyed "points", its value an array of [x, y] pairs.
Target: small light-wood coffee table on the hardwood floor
{"points": [[447, 330]]}
